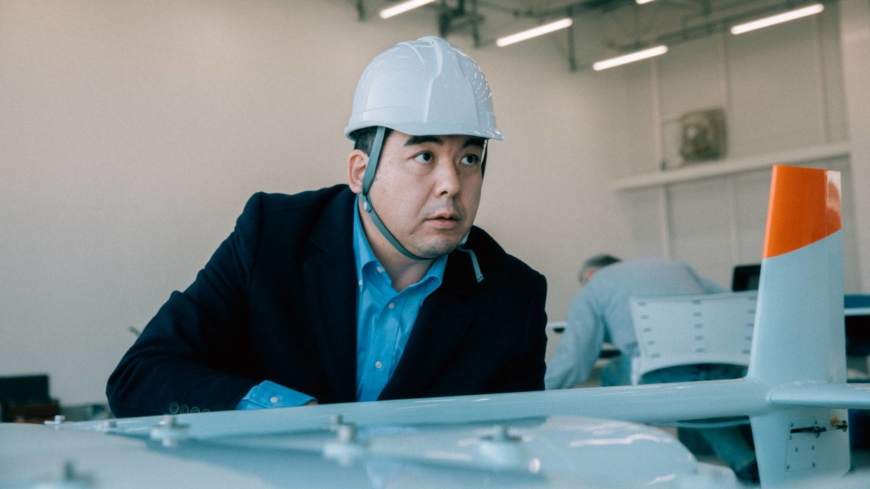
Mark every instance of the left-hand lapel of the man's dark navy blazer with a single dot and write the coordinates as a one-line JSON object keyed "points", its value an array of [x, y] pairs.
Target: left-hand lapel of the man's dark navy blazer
{"points": [[330, 286]]}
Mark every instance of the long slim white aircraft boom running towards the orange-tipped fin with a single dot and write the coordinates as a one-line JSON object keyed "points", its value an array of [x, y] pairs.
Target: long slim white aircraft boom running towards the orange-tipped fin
{"points": [[646, 404]]}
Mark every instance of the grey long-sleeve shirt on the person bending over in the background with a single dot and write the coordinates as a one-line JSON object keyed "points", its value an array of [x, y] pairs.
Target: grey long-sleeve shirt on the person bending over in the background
{"points": [[601, 312]]}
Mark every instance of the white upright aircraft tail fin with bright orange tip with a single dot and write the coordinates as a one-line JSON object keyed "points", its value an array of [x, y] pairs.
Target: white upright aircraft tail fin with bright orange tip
{"points": [[799, 334]]}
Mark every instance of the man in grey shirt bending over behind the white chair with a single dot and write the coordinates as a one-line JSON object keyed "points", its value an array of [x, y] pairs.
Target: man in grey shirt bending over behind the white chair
{"points": [[602, 312]]}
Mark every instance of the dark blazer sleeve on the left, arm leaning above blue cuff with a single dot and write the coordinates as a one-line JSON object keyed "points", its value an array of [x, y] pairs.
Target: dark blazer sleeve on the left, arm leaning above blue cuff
{"points": [[192, 351]]}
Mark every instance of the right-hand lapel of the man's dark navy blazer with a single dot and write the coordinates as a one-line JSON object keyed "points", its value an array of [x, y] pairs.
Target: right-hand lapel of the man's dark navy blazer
{"points": [[441, 324]]}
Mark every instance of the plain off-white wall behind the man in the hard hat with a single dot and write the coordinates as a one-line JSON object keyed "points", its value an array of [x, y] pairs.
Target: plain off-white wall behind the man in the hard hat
{"points": [[132, 133]]}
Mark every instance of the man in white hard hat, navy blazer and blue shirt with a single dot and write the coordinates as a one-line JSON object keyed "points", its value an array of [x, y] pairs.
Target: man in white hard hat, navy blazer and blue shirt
{"points": [[380, 289]]}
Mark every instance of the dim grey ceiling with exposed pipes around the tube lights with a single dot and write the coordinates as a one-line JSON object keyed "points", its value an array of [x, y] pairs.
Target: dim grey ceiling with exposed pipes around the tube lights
{"points": [[601, 27]]}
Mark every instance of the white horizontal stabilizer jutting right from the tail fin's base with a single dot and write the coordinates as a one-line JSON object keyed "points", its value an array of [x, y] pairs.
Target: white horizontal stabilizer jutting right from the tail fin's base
{"points": [[843, 396]]}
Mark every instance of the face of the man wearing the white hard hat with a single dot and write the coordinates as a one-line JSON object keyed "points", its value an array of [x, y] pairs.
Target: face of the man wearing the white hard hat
{"points": [[427, 190]]}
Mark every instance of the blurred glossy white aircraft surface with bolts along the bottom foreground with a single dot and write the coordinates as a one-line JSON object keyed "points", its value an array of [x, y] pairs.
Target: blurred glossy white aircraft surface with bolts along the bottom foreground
{"points": [[544, 452]]}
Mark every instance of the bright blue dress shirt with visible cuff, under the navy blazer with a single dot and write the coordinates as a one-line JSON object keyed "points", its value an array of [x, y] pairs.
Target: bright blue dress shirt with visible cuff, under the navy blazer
{"points": [[385, 318]]}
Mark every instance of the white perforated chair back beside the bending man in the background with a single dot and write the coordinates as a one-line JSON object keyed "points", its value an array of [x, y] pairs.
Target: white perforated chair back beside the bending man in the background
{"points": [[692, 329]]}
